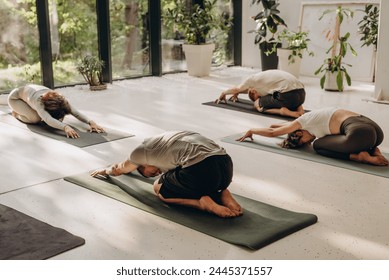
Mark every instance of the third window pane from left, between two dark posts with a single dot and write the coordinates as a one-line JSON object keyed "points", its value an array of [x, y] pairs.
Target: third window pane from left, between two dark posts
{"points": [[129, 38]]}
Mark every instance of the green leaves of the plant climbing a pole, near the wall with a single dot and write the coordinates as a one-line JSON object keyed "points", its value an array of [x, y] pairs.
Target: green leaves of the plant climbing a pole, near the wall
{"points": [[335, 63]]}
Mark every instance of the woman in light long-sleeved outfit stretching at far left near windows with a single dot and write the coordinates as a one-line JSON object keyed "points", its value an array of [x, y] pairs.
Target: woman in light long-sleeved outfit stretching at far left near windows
{"points": [[32, 104]]}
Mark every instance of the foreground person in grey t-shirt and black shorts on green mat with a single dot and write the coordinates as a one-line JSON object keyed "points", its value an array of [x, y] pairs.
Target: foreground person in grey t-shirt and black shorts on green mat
{"points": [[196, 171]]}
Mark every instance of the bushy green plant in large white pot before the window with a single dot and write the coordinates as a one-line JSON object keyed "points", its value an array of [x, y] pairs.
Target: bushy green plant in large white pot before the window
{"points": [[196, 23]]}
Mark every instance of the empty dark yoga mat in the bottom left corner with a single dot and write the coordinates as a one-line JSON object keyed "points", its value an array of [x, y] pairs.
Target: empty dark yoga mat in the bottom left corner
{"points": [[25, 238]]}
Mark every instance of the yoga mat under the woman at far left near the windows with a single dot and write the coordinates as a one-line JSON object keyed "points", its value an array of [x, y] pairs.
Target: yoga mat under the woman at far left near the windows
{"points": [[86, 138]]}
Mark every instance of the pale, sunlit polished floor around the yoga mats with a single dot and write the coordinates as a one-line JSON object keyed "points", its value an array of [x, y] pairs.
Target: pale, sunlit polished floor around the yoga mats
{"points": [[352, 207]]}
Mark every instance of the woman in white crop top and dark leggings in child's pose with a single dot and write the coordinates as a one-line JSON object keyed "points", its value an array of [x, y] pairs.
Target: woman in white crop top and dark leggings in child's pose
{"points": [[336, 133]]}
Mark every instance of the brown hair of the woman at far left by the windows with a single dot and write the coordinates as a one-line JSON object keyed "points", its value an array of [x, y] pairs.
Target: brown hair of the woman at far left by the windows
{"points": [[56, 105]]}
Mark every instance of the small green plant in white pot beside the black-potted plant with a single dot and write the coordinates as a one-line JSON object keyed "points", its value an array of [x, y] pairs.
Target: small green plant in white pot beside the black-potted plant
{"points": [[294, 44]]}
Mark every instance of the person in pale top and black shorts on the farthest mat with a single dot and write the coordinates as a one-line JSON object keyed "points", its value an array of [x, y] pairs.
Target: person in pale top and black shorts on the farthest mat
{"points": [[272, 91]]}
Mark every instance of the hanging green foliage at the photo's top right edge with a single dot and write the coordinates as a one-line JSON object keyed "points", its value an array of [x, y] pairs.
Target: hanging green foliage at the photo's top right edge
{"points": [[368, 26]]}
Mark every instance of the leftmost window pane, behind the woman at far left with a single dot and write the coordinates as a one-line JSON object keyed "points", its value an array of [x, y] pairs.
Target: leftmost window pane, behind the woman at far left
{"points": [[19, 44]]}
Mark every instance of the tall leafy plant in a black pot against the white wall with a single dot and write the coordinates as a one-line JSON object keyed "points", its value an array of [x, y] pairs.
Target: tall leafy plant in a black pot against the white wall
{"points": [[267, 21]]}
